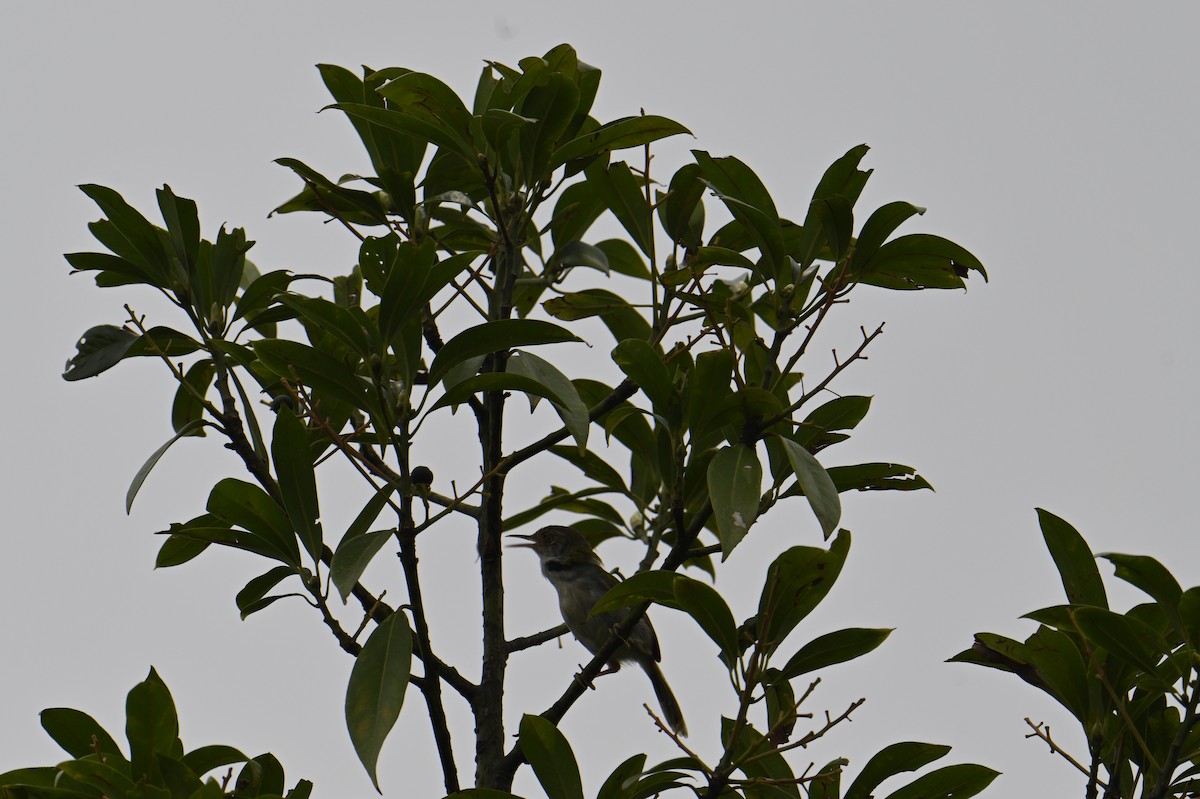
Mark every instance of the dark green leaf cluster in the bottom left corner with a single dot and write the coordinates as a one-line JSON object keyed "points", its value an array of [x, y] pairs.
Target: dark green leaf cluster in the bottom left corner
{"points": [[158, 766]]}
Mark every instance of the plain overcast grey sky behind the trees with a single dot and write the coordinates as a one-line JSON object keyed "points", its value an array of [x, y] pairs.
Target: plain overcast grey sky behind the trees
{"points": [[1053, 141]]}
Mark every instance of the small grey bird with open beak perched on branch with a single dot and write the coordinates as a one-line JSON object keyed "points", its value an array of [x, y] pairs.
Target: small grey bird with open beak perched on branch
{"points": [[579, 576]]}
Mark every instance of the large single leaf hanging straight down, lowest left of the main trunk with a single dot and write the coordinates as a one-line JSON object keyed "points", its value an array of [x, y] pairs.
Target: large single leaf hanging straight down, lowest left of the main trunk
{"points": [[376, 692]]}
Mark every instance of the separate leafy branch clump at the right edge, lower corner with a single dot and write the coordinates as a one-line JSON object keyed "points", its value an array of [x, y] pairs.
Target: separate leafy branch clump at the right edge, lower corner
{"points": [[1131, 680]]}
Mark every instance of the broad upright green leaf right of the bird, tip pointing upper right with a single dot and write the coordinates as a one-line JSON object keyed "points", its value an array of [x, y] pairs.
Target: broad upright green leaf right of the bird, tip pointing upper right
{"points": [[797, 582]]}
